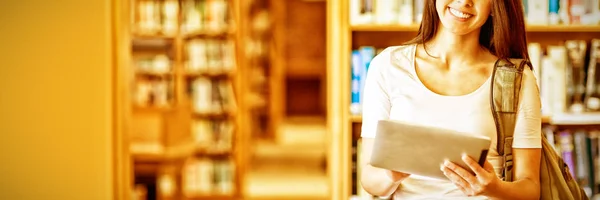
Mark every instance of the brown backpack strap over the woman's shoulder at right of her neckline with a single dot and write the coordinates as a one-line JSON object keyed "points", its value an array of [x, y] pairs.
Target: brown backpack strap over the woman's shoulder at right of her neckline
{"points": [[504, 93]]}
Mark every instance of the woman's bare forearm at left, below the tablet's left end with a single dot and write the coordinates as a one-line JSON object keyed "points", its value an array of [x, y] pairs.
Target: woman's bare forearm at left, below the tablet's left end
{"points": [[377, 181]]}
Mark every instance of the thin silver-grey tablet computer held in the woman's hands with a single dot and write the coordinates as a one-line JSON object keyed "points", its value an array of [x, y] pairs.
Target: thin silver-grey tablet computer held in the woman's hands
{"points": [[420, 150]]}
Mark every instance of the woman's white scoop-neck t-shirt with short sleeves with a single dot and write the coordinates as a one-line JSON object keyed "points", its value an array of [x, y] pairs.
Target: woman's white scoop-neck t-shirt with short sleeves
{"points": [[393, 91]]}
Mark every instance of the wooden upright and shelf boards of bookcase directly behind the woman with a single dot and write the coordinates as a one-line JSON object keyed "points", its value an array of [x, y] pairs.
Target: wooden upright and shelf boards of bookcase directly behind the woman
{"points": [[342, 37]]}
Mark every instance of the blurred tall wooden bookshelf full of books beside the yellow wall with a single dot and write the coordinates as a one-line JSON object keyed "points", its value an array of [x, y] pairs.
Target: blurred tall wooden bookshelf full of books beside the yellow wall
{"points": [[172, 140]]}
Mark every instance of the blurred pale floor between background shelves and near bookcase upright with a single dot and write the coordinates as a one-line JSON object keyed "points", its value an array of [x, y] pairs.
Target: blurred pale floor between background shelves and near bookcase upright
{"points": [[293, 166]]}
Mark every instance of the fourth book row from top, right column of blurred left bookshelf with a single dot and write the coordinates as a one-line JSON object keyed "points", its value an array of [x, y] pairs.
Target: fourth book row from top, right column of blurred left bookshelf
{"points": [[213, 135]]}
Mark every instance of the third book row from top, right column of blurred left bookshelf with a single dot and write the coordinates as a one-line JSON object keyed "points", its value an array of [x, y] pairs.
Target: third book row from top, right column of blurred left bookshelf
{"points": [[212, 96]]}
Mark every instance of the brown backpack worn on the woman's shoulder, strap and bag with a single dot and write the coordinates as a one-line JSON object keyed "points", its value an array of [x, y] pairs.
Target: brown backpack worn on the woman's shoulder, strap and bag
{"points": [[555, 180]]}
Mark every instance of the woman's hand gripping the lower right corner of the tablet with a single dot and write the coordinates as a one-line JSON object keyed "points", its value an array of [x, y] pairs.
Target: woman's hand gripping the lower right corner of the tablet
{"points": [[484, 182]]}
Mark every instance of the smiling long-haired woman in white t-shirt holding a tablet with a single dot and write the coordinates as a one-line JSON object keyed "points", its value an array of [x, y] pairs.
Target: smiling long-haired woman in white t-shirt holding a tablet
{"points": [[450, 62]]}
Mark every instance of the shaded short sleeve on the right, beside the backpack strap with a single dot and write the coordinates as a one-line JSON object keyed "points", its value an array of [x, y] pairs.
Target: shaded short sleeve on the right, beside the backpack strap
{"points": [[528, 126]]}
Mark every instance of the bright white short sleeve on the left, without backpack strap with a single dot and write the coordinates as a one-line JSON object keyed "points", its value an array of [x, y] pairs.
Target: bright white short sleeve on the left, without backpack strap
{"points": [[376, 102]]}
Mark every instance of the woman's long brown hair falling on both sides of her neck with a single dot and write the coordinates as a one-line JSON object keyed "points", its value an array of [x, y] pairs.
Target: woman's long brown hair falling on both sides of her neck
{"points": [[503, 34]]}
